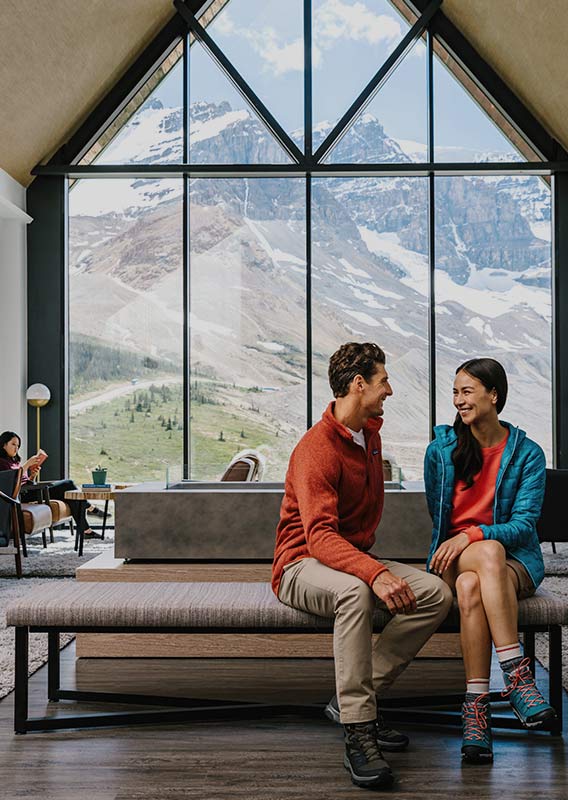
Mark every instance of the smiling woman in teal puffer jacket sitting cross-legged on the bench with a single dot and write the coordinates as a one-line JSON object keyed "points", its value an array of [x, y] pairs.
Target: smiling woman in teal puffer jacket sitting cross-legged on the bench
{"points": [[485, 485]]}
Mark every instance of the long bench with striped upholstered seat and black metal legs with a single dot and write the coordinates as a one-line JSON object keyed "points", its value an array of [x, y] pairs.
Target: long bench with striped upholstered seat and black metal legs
{"points": [[235, 608]]}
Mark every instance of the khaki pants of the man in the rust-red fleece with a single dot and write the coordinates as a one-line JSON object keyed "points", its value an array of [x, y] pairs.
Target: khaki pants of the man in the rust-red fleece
{"points": [[364, 669]]}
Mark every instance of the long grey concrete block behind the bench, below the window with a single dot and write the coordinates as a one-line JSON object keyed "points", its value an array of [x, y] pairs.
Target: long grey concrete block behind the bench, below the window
{"points": [[237, 521]]}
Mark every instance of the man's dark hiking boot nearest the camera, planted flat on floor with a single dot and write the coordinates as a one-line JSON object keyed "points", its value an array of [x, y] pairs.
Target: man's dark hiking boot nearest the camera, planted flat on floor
{"points": [[363, 757]]}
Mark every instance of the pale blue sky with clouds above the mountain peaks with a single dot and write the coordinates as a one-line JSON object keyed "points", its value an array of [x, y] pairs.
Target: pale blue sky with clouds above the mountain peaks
{"points": [[351, 39]]}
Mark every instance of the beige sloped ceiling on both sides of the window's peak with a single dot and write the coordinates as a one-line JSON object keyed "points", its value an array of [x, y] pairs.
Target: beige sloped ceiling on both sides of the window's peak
{"points": [[59, 58]]}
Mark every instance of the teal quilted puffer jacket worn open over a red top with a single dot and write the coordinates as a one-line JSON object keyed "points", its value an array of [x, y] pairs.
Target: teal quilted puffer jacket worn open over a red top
{"points": [[519, 493]]}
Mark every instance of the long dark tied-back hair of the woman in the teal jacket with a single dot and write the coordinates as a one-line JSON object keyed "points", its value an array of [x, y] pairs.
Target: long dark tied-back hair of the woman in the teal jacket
{"points": [[467, 456]]}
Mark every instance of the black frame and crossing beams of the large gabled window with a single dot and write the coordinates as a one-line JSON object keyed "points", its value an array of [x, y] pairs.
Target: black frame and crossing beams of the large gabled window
{"points": [[48, 194]]}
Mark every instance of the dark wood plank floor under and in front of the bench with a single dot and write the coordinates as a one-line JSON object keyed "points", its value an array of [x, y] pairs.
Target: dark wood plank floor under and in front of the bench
{"points": [[284, 758]]}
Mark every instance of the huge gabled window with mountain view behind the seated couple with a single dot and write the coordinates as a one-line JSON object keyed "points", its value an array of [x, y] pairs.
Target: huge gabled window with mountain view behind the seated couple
{"points": [[205, 302]]}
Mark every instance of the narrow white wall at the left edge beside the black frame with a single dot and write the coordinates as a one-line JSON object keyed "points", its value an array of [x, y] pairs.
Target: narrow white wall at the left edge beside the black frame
{"points": [[13, 307]]}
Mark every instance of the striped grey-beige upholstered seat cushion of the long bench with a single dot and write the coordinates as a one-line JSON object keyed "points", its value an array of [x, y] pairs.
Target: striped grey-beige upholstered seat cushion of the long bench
{"points": [[204, 605]]}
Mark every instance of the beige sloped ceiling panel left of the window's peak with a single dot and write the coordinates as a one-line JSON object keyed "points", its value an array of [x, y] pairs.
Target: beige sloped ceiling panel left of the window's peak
{"points": [[57, 60]]}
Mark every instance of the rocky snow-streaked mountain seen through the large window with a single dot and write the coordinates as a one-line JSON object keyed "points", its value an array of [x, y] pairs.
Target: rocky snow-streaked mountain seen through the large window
{"points": [[369, 275]]}
